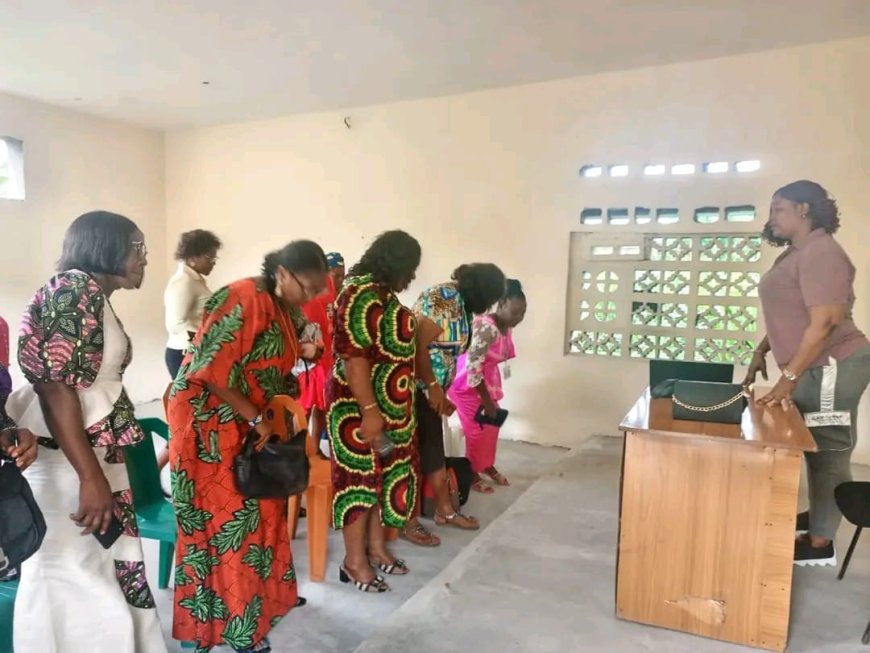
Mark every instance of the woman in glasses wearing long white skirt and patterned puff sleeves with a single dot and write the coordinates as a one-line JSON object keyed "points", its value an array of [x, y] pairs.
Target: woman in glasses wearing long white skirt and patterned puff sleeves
{"points": [[75, 595]]}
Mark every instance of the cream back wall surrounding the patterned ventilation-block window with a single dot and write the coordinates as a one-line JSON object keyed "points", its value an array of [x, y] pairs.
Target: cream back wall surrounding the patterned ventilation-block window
{"points": [[493, 176]]}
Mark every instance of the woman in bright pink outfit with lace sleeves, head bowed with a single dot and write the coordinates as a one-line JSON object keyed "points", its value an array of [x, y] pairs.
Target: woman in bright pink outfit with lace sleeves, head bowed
{"points": [[479, 382]]}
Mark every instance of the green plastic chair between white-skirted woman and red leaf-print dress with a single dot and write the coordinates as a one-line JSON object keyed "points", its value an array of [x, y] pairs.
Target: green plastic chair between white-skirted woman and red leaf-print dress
{"points": [[155, 515]]}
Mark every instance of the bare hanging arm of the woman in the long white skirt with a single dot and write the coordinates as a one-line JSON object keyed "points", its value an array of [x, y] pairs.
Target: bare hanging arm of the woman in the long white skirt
{"points": [[63, 416]]}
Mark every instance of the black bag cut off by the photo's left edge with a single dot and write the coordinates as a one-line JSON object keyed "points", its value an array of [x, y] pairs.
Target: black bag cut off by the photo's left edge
{"points": [[22, 526]]}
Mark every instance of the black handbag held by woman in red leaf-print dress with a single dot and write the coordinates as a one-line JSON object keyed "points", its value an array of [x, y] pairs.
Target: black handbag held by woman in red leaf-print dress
{"points": [[278, 471]]}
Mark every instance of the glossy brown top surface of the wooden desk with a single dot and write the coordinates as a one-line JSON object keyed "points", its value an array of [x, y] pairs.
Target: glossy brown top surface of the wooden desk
{"points": [[761, 426]]}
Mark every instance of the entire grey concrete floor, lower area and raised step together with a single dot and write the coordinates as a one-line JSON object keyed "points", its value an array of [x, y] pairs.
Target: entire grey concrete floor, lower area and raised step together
{"points": [[539, 578]]}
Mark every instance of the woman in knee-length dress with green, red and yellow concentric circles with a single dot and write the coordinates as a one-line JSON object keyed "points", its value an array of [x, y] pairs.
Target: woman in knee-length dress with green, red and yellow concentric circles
{"points": [[371, 408]]}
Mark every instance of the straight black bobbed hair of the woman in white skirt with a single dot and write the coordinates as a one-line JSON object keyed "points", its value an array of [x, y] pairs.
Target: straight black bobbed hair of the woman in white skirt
{"points": [[98, 242]]}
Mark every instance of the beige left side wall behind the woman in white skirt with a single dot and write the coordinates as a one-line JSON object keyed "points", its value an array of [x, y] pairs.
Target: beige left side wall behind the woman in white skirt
{"points": [[73, 164]]}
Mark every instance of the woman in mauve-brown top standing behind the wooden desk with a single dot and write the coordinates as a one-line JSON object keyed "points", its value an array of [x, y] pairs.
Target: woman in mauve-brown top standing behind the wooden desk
{"points": [[807, 298]]}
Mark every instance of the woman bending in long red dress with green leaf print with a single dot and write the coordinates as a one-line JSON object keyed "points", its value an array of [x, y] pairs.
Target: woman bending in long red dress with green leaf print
{"points": [[234, 578]]}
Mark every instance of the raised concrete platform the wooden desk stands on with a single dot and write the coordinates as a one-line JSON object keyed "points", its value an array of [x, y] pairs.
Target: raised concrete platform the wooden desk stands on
{"points": [[541, 580]]}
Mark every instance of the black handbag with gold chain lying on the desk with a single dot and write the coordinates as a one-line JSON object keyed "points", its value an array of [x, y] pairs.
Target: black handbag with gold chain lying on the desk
{"points": [[703, 401]]}
